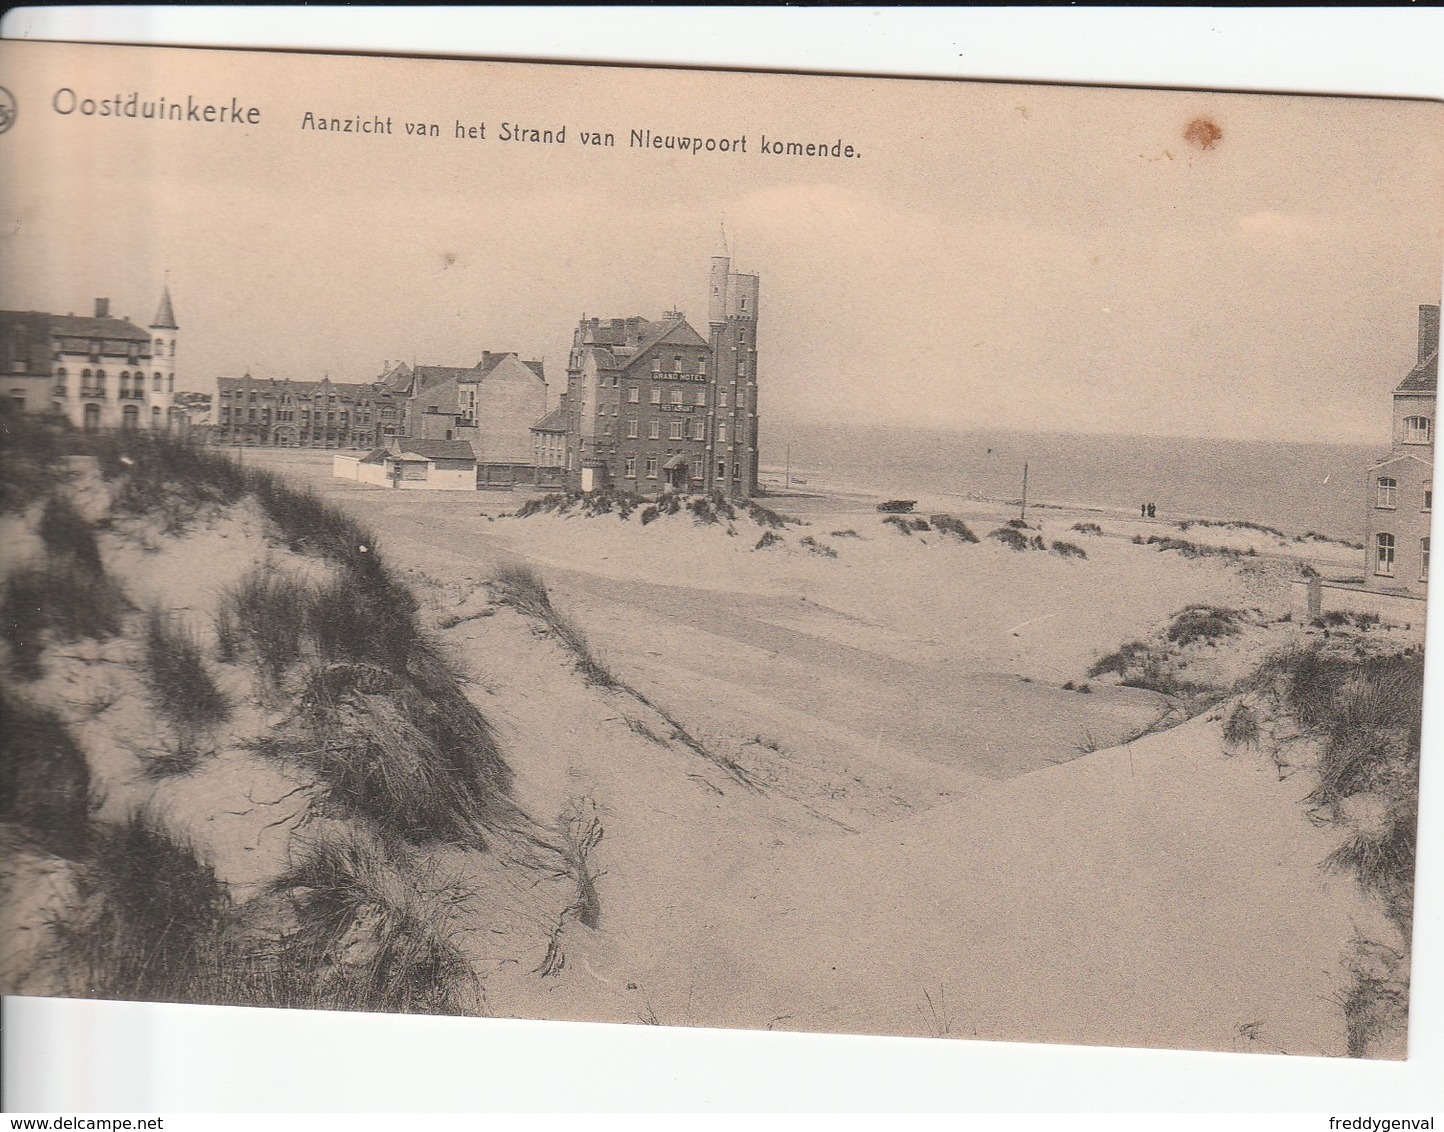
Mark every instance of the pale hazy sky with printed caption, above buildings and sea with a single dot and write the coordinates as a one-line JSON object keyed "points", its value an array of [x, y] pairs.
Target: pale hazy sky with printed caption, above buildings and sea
{"points": [[1027, 258]]}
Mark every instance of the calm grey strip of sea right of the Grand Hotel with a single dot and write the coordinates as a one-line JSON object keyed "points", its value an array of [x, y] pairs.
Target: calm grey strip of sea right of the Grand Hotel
{"points": [[1296, 487]]}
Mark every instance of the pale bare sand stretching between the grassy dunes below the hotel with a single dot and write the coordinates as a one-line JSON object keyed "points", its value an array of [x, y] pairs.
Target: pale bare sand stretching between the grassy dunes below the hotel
{"points": [[942, 838]]}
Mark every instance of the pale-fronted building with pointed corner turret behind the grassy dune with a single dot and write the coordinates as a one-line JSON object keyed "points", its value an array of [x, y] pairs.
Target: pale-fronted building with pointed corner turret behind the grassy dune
{"points": [[99, 372]]}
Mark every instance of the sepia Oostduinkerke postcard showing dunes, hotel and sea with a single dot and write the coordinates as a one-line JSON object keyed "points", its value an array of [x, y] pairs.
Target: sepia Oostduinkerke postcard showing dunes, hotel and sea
{"points": [[716, 549]]}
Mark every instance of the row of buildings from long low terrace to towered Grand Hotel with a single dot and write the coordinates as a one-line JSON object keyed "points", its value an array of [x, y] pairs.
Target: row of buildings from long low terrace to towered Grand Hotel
{"points": [[651, 405]]}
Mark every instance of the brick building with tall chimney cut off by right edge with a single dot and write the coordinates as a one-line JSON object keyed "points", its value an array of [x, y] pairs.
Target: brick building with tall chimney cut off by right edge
{"points": [[1401, 486]]}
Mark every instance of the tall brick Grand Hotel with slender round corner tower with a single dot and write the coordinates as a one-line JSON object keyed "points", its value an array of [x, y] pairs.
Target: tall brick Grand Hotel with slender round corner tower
{"points": [[653, 406]]}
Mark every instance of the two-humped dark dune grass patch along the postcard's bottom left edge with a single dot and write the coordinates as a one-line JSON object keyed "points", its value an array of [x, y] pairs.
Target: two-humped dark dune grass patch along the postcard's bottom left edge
{"points": [[362, 929]]}
